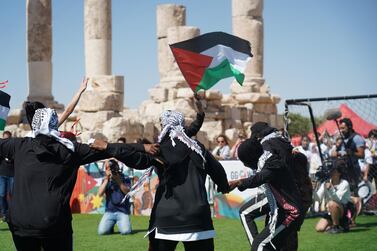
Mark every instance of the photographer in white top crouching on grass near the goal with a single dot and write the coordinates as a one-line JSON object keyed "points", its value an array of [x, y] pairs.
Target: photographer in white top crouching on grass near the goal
{"points": [[337, 194]]}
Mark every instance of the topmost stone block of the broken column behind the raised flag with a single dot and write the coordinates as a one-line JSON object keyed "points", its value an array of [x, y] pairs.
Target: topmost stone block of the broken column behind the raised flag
{"points": [[169, 15]]}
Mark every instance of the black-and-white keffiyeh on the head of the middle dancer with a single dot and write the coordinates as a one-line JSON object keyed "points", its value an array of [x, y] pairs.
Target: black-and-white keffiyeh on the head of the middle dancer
{"points": [[172, 123]]}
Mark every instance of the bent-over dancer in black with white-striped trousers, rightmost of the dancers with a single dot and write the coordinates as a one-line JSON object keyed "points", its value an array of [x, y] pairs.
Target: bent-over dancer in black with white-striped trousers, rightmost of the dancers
{"points": [[283, 200]]}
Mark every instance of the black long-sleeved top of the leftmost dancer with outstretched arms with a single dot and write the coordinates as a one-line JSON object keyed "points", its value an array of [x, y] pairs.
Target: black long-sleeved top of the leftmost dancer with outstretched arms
{"points": [[45, 175]]}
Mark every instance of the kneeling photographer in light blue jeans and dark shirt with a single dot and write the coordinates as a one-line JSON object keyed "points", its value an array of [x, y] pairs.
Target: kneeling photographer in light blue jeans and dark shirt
{"points": [[115, 185]]}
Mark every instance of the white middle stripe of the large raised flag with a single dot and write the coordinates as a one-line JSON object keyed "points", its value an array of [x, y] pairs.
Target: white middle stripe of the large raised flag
{"points": [[220, 53]]}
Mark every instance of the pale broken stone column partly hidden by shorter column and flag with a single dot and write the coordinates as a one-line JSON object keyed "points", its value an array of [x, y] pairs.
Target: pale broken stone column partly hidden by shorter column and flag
{"points": [[168, 15]]}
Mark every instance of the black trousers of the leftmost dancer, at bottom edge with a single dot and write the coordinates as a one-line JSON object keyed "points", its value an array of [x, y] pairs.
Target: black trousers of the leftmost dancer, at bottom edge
{"points": [[58, 243]]}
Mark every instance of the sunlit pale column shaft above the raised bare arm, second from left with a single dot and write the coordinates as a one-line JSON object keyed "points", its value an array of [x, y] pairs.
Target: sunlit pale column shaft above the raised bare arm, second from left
{"points": [[97, 28]]}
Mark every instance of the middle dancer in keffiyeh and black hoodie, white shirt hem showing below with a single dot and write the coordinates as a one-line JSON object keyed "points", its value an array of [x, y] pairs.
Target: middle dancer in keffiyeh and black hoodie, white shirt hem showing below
{"points": [[181, 211]]}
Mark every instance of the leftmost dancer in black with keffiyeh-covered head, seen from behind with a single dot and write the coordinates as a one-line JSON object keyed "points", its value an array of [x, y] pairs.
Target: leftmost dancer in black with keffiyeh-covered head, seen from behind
{"points": [[45, 172]]}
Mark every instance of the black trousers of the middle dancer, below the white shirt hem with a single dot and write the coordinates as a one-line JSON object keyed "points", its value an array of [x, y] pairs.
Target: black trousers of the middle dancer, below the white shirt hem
{"points": [[167, 245]]}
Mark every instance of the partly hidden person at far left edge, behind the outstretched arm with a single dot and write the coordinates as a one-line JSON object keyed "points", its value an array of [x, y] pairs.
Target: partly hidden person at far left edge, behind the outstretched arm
{"points": [[6, 181]]}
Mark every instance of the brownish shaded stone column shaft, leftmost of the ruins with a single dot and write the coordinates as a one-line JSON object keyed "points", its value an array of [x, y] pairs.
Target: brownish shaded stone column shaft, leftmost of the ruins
{"points": [[39, 44]]}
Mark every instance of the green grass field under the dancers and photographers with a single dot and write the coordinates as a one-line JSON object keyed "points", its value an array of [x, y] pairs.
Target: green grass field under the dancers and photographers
{"points": [[230, 236]]}
